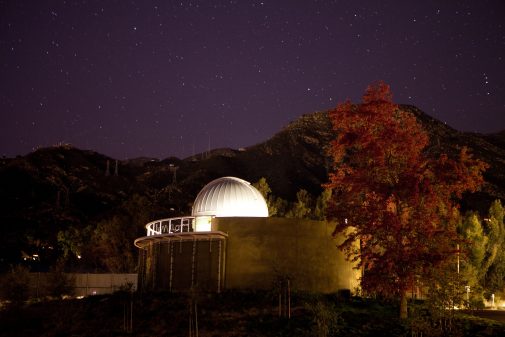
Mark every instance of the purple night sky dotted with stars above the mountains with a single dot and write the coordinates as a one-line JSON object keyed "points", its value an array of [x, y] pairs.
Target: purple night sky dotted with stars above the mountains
{"points": [[173, 78]]}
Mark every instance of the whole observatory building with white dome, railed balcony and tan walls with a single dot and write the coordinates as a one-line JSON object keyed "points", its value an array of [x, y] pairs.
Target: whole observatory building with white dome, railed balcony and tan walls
{"points": [[229, 242]]}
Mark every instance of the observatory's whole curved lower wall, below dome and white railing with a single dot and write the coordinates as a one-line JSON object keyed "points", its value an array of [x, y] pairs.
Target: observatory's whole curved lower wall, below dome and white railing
{"points": [[254, 253]]}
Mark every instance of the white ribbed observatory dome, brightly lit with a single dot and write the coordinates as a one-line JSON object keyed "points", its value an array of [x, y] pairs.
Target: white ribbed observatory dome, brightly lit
{"points": [[230, 197]]}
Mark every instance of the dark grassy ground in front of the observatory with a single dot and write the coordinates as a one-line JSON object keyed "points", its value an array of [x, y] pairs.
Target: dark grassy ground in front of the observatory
{"points": [[232, 314]]}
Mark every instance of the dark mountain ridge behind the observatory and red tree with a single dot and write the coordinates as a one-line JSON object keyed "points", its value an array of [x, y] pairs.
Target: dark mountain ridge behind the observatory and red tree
{"points": [[55, 188]]}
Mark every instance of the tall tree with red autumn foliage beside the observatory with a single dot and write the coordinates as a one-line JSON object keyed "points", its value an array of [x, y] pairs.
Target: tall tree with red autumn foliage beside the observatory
{"points": [[390, 197]]}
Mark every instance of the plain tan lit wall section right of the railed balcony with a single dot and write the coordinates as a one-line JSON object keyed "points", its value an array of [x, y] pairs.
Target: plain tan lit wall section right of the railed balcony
{"points": [[260, 250]]}
